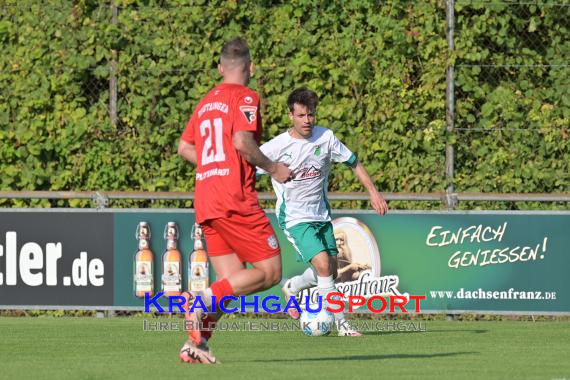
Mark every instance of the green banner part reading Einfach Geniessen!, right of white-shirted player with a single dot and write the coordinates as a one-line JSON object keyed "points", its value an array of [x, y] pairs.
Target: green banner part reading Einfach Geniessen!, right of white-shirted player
{"points": [[461, 262]]}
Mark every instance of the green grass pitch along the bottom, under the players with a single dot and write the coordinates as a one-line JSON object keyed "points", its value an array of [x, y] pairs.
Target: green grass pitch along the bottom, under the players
{"points": [[118, 348]]}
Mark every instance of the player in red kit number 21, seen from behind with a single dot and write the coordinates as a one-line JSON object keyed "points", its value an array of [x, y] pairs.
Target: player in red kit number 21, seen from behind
{"points": [[221, 139]]}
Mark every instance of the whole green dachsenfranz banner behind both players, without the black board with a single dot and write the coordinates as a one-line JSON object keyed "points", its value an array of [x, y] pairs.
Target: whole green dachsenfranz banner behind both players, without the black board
{"points": [[462, 262]]}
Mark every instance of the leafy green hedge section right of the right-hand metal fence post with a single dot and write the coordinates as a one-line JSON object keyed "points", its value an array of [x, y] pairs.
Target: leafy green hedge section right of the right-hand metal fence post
{"points": [[515, 109]]}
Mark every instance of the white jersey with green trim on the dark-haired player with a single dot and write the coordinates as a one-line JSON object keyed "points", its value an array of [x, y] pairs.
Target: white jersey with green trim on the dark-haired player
{"points": [[304, 198]]}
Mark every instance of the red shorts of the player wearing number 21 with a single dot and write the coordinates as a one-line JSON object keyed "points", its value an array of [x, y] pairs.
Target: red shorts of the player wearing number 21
{"points": [[251, 237]]}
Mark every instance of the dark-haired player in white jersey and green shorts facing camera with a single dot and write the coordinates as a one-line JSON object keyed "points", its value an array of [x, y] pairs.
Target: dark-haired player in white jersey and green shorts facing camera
{"points": [[302, 208]]}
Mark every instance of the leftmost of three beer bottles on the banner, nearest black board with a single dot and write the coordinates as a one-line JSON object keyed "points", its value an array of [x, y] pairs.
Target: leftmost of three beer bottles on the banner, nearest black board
{"points": [[144, 263]]}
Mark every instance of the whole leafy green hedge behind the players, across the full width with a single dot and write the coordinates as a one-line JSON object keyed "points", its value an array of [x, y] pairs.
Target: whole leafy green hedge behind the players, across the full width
{"points": [[379, 69]]}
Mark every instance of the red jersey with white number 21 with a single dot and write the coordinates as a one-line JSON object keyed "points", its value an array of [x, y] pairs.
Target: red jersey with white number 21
{"points": [[225, 181]]}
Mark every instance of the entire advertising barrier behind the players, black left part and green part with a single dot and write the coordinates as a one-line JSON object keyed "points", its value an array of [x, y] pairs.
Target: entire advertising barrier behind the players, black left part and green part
{"points": [[485, 262]]}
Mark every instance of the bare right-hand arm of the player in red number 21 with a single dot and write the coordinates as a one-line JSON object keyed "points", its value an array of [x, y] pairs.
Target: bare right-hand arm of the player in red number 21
{"points": [[245, 144]]}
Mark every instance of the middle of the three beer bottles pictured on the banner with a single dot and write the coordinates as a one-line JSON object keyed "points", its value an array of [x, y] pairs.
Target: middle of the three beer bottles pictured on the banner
{"points": [[171, 262]]}
